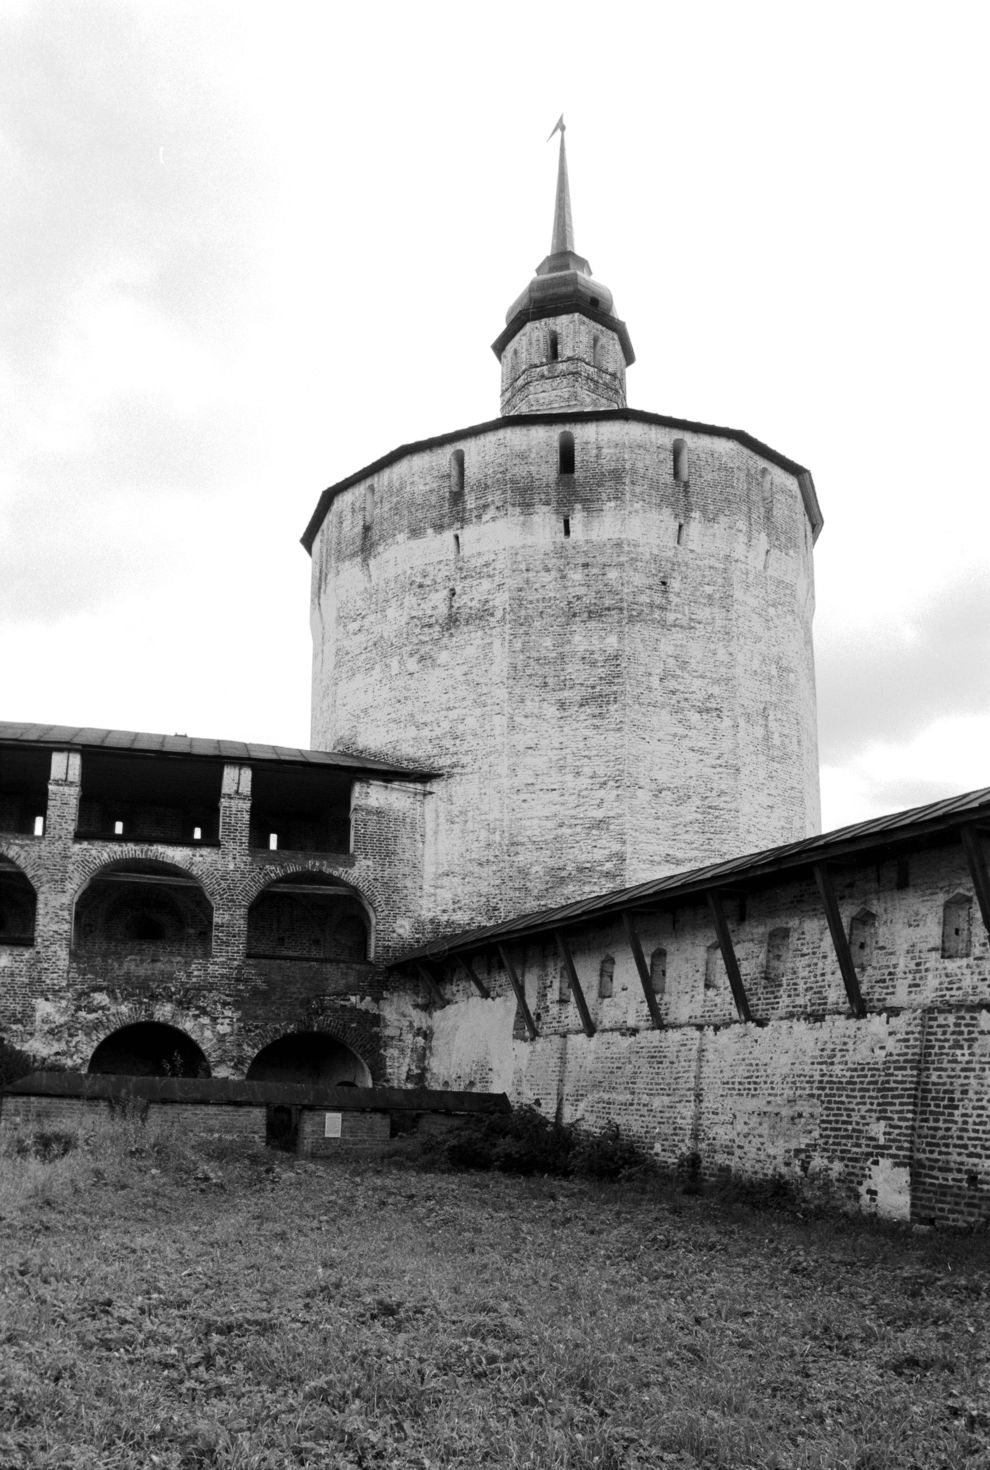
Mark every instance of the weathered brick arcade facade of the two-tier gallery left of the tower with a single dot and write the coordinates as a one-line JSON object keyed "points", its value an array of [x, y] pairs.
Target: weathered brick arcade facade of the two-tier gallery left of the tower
{"points": [[67, 993]]}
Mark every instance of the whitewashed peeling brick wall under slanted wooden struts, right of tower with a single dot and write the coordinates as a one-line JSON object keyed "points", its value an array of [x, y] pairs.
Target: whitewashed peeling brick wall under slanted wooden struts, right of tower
{"points": [[889, 1114]]}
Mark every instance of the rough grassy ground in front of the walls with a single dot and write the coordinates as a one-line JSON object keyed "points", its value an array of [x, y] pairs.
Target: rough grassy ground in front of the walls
{"points": [[248, 1312]]}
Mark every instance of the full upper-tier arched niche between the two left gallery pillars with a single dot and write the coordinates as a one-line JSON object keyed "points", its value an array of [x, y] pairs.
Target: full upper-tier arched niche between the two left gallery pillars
{"points": [[145, 906]]}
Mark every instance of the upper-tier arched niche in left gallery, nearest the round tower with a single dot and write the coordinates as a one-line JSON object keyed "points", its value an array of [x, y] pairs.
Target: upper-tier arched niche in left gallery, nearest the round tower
{"points": [[308, 917]]}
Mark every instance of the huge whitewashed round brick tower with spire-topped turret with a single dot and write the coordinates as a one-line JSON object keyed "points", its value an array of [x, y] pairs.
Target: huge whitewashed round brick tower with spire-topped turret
{"points": [[594, 623]]}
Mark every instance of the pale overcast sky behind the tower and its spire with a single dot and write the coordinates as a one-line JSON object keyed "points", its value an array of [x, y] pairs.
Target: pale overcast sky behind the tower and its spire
{"points": [[251, 248]]}
